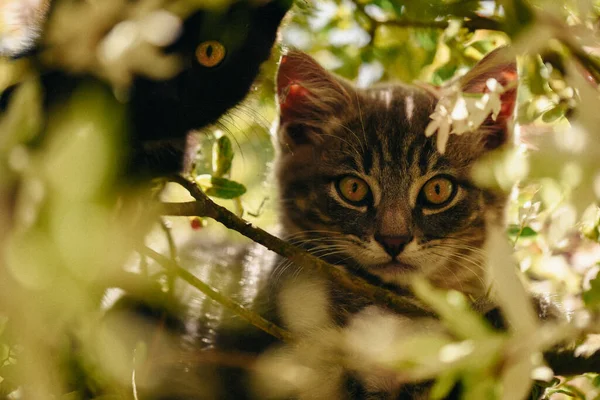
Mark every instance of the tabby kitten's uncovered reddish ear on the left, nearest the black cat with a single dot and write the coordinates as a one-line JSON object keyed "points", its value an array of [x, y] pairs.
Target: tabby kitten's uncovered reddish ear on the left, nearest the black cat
{"points": [[308, 96]]}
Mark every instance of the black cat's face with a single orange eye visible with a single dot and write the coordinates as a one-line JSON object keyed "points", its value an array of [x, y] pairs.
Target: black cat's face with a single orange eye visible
{"points": [[222, 52]]}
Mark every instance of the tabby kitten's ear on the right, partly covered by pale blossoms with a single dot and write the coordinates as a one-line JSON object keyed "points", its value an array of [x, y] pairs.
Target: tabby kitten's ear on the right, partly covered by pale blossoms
{"points": [[500, 65]]}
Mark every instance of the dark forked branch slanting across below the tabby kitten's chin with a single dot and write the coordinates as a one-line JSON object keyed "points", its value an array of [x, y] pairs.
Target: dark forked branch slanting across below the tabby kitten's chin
{"points": [[205, 207]]}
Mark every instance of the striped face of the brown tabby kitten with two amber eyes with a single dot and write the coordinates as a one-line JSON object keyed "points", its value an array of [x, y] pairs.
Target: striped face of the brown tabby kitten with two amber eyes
{"points": [[362, 186]]}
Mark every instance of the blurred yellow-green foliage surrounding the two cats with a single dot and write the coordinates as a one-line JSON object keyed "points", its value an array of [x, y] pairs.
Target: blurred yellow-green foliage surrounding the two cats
{"points": [[73, 236]]}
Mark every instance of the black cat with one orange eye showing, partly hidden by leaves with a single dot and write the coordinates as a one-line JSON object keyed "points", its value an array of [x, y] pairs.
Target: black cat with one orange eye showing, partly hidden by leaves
{"points": [[221, 50]]}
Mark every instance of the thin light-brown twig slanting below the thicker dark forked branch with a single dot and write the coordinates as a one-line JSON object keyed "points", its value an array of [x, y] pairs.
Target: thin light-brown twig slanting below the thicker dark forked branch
{"points": [[213, 294]]}
